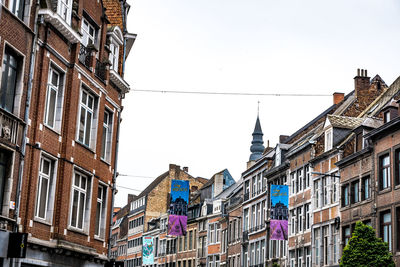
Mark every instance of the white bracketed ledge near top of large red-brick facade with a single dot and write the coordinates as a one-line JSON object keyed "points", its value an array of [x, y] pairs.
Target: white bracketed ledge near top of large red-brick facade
{"points": [[60, 24]]}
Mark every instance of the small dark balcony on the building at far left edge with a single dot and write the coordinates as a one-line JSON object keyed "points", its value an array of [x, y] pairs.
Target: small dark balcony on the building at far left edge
{"points": [[10, 127]]}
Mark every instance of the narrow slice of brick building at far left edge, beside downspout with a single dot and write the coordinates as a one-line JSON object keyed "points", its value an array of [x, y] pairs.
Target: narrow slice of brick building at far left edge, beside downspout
{"points": [[17, 34]]}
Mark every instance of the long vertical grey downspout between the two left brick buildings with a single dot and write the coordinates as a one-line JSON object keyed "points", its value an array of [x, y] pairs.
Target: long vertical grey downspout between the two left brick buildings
{"points": [[26, 118]]}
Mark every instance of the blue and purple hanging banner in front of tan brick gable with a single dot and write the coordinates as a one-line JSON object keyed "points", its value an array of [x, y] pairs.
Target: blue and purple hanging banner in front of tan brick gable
{"points": [[177, 220]]}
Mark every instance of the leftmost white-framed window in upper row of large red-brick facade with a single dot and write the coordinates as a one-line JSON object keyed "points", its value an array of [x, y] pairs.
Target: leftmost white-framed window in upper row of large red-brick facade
{"points": [[53, 108]]}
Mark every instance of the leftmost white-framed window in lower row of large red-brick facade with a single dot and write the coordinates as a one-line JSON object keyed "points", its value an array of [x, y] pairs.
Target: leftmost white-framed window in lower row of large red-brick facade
{"points": [[46, 186]]}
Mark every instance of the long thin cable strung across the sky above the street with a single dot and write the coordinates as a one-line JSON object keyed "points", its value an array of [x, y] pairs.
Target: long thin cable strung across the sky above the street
{"points": [[224, 93]]}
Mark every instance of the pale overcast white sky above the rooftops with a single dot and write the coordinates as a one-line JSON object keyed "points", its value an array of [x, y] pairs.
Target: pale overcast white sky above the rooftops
{"points": [[249, 46]]}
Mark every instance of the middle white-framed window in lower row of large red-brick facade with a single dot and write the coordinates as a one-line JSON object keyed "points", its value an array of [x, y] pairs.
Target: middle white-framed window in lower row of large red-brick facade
{"points": [[80, 197]]}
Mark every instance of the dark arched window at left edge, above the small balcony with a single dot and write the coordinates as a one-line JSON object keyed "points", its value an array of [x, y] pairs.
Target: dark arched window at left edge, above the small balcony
{"points": [[9, 80]]}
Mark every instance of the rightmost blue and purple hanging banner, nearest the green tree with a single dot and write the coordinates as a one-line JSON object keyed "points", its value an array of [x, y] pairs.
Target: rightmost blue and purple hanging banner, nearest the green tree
{"points": [[279, 212]]}
